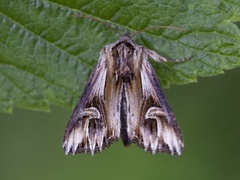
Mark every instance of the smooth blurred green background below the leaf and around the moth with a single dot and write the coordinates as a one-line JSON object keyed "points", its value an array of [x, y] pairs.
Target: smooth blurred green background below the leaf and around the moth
{"points": [[208, 113]]}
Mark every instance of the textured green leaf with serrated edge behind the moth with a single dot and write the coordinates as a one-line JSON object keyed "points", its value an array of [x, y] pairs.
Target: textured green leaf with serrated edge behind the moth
{"points": [[47, 51]]}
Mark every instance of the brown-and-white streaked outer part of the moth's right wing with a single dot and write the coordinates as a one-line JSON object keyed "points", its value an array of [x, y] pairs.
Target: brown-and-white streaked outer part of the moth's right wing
{"points": [[158, 130]]}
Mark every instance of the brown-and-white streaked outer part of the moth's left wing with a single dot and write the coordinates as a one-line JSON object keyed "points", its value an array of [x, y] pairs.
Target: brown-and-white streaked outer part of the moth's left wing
{"points": [[88, 128]]}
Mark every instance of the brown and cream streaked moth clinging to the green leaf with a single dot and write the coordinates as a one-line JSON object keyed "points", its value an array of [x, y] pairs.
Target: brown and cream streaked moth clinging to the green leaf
{"points": [[123, 99]]}
